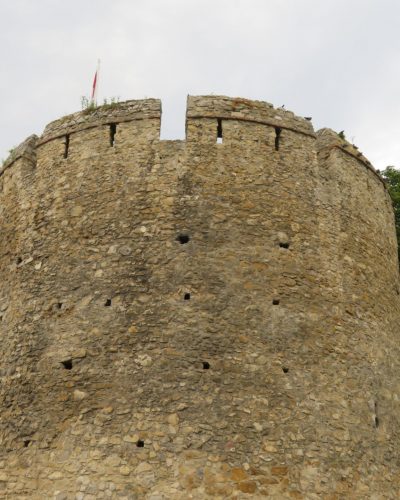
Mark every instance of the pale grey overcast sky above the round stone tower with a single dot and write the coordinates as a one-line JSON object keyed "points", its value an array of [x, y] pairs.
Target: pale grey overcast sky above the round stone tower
{"points": [[335, 60]]}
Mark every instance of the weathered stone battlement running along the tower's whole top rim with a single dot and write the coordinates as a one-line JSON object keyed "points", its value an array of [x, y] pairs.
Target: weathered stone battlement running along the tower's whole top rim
{"points": [[220, 108]]}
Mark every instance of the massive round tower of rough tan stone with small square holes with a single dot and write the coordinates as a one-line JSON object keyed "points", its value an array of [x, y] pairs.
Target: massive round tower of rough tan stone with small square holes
{"points": [[208, 318]]}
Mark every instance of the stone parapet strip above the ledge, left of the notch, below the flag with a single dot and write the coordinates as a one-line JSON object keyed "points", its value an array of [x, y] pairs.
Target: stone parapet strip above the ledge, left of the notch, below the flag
{"points": [[103, 115]]}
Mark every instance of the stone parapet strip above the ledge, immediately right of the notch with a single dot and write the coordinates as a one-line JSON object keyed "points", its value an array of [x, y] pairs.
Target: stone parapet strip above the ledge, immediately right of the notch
{"points": [[235, 108]]}
